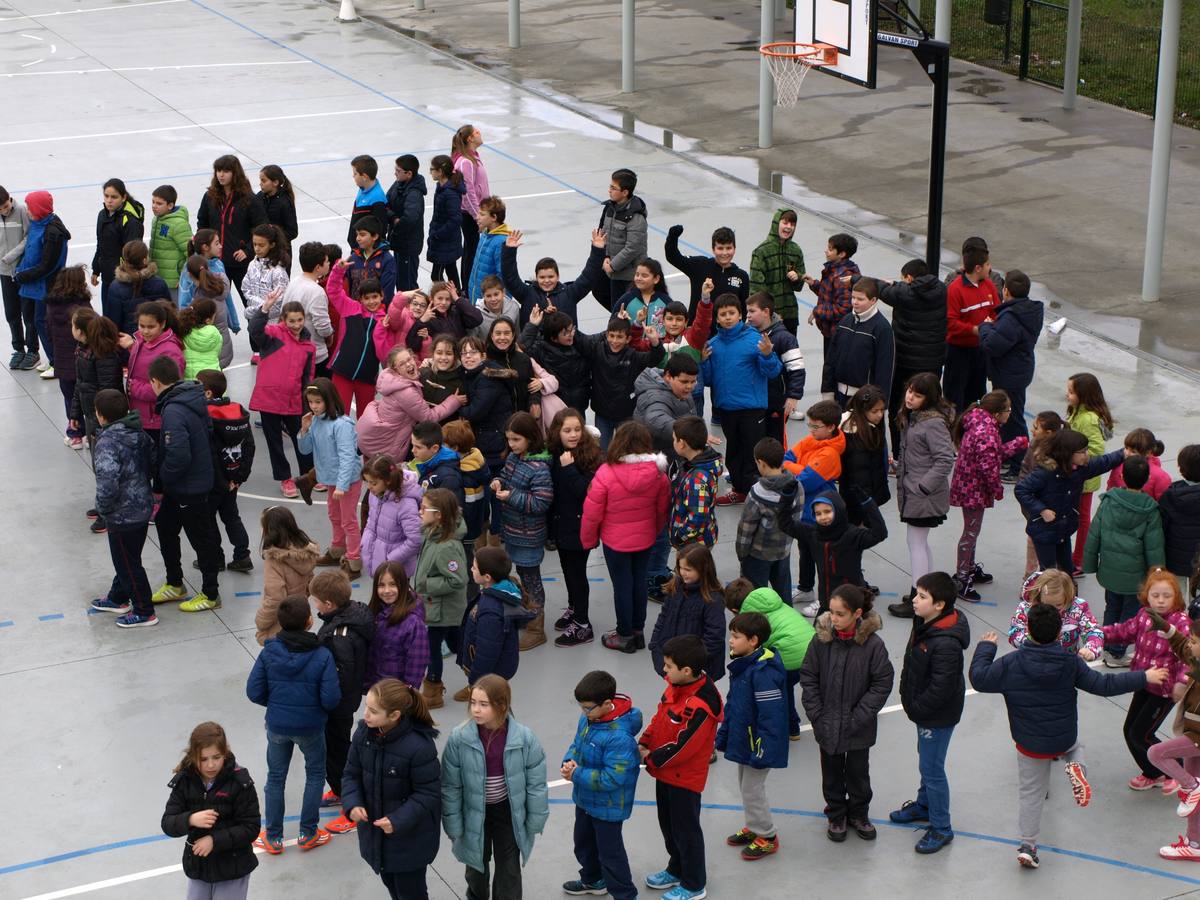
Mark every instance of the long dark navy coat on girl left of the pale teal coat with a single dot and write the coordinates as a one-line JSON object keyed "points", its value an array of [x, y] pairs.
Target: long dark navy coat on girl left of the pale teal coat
{"points": [[395, 776]]}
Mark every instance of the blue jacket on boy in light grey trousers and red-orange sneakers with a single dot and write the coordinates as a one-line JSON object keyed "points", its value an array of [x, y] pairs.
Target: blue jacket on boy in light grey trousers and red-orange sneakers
{"points": [[755, 729]]}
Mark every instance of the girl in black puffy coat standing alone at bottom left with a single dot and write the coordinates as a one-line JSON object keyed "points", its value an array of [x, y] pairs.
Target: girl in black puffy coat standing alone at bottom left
{"points": [[215, 806]]}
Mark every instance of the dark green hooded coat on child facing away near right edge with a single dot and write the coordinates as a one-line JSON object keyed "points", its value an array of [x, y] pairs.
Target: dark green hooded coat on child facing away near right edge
{"points": [[1126, 539]]}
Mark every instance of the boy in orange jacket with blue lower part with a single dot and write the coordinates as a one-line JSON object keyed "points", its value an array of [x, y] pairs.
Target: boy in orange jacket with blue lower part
{"points": [[817, 464]]}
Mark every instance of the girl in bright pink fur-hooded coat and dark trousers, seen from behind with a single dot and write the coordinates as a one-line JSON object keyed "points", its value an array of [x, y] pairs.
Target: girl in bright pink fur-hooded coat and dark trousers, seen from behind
{"points": [[625, 511]]}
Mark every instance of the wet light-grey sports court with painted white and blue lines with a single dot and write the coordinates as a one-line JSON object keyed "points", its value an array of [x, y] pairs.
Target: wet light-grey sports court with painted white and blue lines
{"points": [[94, 718]]}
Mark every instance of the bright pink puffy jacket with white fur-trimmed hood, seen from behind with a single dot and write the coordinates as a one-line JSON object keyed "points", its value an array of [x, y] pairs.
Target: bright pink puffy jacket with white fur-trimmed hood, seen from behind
{"points": [[621, 500]]}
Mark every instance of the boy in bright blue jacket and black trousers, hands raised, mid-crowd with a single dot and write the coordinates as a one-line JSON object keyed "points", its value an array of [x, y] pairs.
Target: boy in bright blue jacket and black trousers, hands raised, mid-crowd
{"points": [[739, 367]]}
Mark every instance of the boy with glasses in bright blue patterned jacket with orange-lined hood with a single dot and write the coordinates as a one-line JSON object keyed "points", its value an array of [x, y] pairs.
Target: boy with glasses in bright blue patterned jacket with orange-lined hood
{"points": [[603, 765]]}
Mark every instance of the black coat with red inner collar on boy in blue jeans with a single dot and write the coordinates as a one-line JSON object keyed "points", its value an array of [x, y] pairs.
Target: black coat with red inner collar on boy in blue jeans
{"points": [[932, 682]]}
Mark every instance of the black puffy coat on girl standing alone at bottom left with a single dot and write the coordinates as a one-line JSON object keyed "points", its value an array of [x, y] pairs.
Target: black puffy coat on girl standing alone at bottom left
{"points": [[236, 801]]}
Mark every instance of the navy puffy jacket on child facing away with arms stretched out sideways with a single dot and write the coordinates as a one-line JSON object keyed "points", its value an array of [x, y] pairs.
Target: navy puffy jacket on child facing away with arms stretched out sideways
{"points": [[1041, 685]]}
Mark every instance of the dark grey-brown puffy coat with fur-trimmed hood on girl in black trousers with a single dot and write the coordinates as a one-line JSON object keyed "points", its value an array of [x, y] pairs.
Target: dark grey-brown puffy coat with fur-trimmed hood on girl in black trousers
{"points": [[847, 683]]}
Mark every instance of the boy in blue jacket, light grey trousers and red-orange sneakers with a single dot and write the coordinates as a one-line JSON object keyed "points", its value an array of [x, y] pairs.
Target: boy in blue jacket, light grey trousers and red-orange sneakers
{"points": [[755, 729]]}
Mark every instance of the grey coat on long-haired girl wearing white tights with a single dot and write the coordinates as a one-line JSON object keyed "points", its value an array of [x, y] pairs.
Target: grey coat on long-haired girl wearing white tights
{"points": [[925, 465]]}
